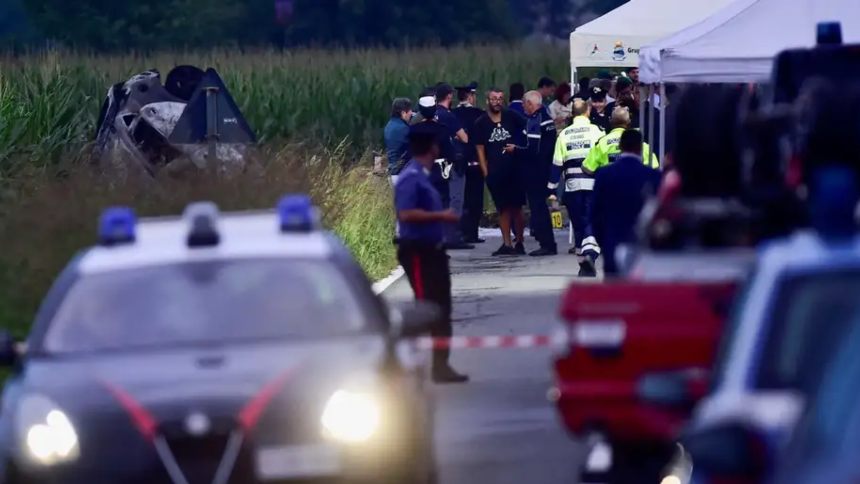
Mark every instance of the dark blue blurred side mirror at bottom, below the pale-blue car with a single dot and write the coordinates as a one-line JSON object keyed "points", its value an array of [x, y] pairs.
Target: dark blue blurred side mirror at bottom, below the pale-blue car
{"points": [[727, 452]]}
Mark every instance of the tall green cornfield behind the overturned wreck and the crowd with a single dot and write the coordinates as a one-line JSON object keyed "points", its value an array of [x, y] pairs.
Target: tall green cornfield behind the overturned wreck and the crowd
{"points": [[49, 107]]}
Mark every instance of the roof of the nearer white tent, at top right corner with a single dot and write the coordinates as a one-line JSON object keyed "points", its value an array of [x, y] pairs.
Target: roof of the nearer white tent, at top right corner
{"points": [[739, 42]]}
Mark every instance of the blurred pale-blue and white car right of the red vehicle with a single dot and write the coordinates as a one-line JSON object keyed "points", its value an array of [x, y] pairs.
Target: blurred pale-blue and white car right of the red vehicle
{"points": [[798, 304]]}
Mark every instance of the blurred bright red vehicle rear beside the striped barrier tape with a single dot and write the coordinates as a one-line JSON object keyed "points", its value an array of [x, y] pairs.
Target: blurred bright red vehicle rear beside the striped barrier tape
{"points": [[632, 336]]}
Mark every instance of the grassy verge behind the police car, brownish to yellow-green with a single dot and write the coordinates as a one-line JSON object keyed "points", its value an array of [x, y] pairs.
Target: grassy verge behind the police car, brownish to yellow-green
{"points": [[44, 222]]}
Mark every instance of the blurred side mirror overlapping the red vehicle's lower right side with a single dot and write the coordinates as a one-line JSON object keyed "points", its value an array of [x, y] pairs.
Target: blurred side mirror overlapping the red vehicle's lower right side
{"points": [[677, 389]]}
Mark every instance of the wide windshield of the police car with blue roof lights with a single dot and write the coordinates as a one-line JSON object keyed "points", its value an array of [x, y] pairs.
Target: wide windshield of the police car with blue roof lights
{"points": [[206, 303]]}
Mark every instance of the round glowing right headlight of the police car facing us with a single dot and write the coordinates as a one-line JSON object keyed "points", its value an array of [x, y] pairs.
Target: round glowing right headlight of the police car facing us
{"points": [[351, 417]]}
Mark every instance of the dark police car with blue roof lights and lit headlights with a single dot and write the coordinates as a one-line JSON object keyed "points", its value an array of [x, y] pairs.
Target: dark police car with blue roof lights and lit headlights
{"points": [[209, 348]]}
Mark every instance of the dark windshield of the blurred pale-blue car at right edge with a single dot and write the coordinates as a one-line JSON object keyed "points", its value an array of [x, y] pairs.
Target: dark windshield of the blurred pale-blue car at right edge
{"points": [[812, 315]]}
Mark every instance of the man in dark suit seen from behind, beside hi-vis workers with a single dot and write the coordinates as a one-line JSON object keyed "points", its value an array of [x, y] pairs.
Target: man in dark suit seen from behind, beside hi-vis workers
{"points": [[620, 192]]}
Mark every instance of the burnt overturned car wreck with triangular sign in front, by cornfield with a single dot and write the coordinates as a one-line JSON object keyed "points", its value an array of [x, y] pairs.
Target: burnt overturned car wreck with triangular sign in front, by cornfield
{"points": [[189, 123]]}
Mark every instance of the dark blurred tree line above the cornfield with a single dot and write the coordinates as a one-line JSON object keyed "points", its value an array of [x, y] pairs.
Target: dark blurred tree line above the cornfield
{"points": [[155, 24]]}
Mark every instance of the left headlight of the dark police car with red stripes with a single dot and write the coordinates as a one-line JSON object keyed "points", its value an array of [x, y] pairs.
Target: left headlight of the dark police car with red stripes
{"points": [[46, 432]]}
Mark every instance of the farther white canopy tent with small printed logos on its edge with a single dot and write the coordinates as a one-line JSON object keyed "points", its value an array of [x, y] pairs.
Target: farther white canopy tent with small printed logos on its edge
{"points": [[614, 39]]}
